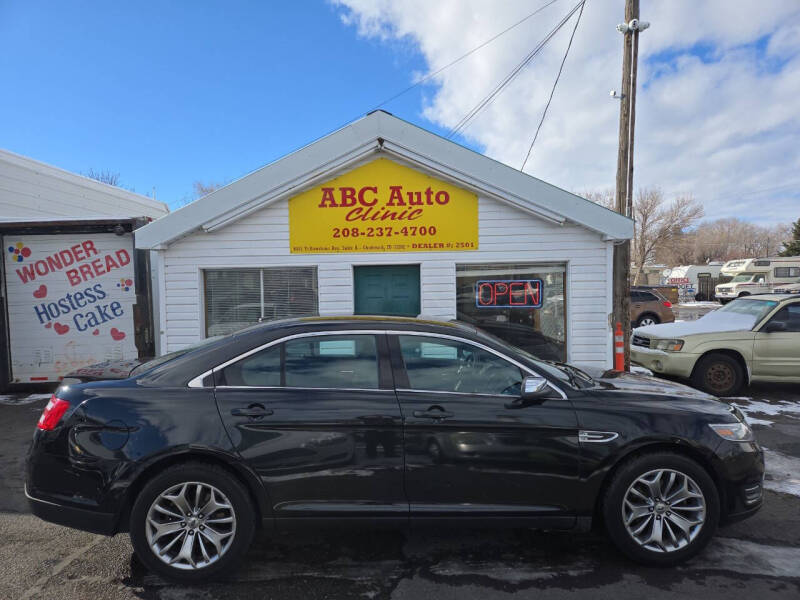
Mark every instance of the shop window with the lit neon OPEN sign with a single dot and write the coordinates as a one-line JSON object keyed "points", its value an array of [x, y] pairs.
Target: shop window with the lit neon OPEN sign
{"points": [[524, 304]]}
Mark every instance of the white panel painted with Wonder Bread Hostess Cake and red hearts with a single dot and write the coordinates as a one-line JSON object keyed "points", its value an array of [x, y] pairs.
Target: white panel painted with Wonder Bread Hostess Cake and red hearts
{"points": [[70, 302]]}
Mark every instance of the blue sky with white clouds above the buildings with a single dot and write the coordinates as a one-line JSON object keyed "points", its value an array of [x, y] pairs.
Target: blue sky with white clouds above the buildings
{"points": [[169, 93]]}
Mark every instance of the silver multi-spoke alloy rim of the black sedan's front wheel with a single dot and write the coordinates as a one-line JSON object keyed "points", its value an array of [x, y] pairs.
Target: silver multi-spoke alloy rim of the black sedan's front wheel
{"points": [[664, 510]]}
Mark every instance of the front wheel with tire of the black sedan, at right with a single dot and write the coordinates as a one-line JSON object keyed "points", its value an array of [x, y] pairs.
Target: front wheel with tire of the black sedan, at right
{"points": [[683, 526]]}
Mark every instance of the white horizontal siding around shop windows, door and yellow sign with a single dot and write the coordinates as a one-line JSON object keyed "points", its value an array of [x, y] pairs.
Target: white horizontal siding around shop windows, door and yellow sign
{"points": [[506, 235]]}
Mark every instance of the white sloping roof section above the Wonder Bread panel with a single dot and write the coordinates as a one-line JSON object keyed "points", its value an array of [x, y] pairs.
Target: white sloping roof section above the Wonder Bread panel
{"points": [[31, 190]]}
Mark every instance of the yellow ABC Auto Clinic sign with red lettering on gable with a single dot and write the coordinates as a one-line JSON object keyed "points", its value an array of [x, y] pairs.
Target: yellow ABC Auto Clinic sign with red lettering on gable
{"points": [[383, 207]]}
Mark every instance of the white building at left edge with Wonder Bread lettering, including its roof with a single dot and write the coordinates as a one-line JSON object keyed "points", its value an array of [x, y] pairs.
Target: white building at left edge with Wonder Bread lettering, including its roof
{"points": [[73, 290]]}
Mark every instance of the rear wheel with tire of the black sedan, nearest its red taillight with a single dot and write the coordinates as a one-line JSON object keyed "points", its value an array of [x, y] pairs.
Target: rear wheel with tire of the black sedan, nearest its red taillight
{"points": [[211, 536]]}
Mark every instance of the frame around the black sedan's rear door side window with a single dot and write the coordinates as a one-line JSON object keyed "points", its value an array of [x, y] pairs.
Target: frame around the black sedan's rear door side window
{"points": [[384, 369]]}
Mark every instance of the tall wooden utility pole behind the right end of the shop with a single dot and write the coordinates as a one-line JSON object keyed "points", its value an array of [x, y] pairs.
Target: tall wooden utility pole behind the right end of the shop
{"points": [[624, 197]]}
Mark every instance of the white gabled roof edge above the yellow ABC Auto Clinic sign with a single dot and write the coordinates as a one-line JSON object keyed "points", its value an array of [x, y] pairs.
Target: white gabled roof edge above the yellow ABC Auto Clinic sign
{"points": [[374, 135]]}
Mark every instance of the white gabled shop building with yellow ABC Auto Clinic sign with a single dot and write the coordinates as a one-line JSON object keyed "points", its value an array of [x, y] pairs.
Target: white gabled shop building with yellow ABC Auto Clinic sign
{"points": [[383, 217]]}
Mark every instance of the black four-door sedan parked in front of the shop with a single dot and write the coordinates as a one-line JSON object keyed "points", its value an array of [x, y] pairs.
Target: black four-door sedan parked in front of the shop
{"points": [[374, 421]]}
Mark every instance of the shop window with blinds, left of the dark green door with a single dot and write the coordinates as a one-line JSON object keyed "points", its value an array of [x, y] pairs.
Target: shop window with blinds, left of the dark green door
{"points": [[236, 298]]}
